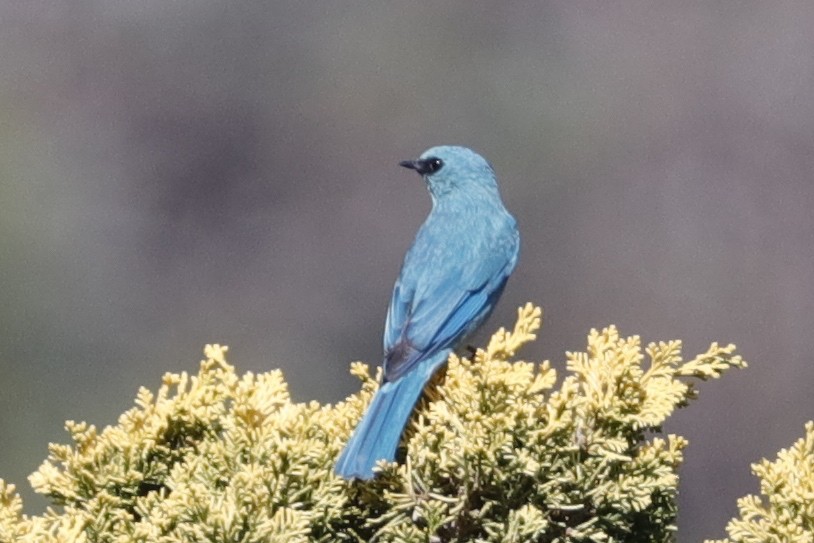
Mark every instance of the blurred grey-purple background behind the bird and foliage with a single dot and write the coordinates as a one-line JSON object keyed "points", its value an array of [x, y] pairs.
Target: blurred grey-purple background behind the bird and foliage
{"points": [[178, 173]]}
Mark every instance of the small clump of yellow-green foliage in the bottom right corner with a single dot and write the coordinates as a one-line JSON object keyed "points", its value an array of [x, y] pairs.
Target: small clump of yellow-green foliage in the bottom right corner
{"points": [[786, 513]]}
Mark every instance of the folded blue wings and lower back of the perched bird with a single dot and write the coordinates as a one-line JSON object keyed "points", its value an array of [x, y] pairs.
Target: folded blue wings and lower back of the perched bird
{"points": [[436, 304]]}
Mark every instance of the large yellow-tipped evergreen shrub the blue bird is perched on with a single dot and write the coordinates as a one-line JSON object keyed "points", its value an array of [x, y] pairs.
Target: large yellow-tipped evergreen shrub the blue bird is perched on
{"points": [[497, 451]]}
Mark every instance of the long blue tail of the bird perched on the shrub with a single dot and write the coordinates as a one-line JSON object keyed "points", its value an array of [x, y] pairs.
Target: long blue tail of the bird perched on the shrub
{"points": [[378, 434]]}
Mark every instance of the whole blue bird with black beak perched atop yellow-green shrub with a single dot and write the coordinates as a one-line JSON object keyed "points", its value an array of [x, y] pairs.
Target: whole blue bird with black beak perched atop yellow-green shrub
{"points": [[450, 281]]}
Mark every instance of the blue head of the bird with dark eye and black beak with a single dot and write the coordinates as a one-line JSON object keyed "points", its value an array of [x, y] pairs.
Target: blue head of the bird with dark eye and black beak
{"points": [[450, 169]]}
